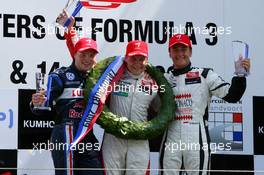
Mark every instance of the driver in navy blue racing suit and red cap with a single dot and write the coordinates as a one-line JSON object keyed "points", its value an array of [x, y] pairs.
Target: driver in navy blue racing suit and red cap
{"points": [[65, 89]]}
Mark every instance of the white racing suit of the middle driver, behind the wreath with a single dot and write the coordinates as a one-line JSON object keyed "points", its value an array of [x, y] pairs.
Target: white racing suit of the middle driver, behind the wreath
{"points": [[131, 98]]}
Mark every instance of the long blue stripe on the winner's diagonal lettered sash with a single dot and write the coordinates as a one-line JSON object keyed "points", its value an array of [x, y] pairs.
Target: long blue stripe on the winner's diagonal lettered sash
{"points": [[92, 94]]}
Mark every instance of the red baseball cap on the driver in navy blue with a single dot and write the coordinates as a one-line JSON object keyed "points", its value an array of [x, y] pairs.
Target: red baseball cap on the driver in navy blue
{"points": [[85, 44]]}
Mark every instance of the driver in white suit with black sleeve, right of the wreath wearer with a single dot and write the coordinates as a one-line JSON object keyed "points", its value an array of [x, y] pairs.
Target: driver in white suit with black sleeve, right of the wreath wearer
{"points": [[187, 142]]}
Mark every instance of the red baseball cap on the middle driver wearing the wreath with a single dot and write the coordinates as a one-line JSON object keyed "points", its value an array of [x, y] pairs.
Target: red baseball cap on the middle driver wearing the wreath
{"points": [[137, 47]]}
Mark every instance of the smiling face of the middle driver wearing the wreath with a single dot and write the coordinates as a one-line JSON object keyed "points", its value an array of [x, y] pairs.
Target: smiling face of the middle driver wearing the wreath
{"points": [[136, 64]]}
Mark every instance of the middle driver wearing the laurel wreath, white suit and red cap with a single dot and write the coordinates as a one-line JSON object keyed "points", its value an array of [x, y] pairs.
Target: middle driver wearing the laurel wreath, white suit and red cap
{"points": [[131, 98]]}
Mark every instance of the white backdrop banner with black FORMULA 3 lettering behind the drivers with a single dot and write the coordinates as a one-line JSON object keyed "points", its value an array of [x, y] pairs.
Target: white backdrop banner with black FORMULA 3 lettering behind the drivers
{"points": [[29, 44]]}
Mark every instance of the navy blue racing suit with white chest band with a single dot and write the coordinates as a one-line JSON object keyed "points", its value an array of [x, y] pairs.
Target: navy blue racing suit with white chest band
{"points": [[65, 93]]}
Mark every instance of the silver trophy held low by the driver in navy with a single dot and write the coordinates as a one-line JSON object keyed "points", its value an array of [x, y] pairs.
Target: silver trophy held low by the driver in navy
{"points": [[40, 85]]}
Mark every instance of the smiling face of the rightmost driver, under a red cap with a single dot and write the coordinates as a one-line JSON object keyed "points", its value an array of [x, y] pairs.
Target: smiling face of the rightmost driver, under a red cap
{"points": [[180, 55]]}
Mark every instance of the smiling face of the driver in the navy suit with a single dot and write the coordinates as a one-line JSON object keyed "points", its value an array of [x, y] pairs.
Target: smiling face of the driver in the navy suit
{"points": [[84, 60]]}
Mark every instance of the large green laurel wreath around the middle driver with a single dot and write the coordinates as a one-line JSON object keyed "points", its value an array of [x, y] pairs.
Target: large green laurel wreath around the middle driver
{"points": [[124, 128]]}
